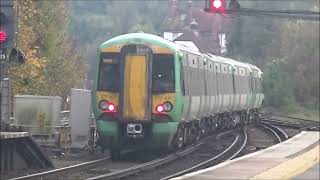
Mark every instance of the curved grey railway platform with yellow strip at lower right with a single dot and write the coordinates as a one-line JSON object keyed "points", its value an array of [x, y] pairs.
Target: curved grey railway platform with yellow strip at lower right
{"points": [[296, 158]]}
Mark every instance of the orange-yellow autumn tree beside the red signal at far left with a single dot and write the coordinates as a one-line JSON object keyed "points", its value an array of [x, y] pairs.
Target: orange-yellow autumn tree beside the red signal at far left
{"points": [[28, 78]]}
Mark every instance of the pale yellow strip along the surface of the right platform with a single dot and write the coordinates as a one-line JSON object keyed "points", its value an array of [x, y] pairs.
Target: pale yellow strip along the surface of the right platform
{"points": [[292, 167]]}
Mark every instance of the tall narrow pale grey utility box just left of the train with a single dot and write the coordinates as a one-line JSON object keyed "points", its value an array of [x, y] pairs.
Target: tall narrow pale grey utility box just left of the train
{"points": [[80, 117]]}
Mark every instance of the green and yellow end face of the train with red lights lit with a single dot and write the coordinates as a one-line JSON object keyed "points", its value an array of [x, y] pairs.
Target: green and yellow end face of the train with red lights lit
{"points": [[135, 100]]}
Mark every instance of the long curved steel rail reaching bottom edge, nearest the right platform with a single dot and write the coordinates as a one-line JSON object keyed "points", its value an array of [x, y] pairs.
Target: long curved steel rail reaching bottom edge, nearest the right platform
{"points": [[231, 152]]}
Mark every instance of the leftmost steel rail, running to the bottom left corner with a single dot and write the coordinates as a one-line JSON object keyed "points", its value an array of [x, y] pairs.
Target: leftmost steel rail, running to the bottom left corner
{"points": [[77, 167]]}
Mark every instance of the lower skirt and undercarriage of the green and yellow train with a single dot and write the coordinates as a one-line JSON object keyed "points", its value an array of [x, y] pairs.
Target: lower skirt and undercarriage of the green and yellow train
{"points": [[150, 136]]}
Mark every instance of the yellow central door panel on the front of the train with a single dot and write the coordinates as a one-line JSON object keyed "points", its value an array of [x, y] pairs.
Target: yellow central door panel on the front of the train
{"points": [[135, 91]]}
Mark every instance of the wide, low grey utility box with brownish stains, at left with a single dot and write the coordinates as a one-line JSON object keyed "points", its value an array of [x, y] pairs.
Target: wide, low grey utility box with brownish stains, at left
{"points": [[40, 115]]}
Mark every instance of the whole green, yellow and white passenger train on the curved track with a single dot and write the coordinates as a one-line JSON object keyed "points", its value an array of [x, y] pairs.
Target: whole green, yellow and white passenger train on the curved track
{"points": [[150, 92]]}
